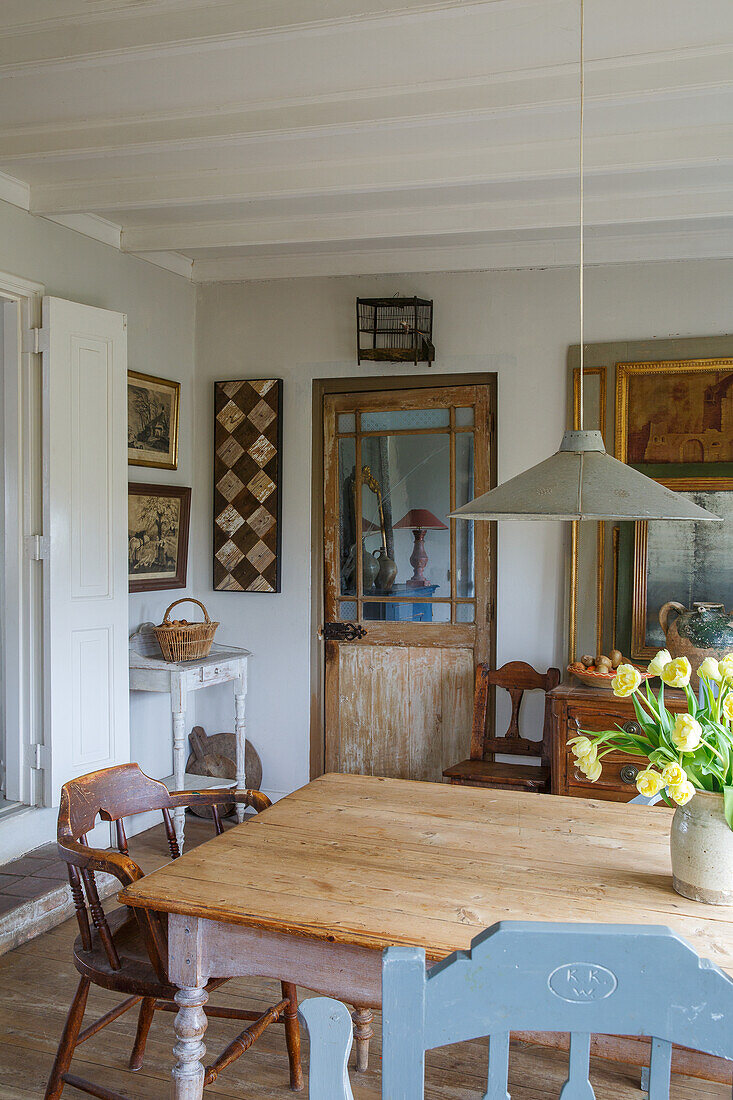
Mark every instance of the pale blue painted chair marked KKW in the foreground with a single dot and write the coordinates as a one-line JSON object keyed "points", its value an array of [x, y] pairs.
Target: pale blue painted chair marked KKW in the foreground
{"points": [[581, 978]]}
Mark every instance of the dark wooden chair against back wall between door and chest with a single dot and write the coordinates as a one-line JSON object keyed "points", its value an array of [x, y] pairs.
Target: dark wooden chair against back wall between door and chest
{"points": [[483, 769]]}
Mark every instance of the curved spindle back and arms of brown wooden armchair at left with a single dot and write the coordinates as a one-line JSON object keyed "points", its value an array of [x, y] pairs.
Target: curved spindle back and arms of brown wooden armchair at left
{"points": [[113, 796]]}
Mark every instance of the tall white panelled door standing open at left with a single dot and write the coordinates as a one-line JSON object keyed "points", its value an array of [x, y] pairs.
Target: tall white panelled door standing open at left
{"points": [[86, 701]]}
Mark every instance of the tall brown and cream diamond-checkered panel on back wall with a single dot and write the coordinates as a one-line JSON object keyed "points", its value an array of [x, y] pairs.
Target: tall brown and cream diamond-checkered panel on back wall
{"points": [[247, 490]]}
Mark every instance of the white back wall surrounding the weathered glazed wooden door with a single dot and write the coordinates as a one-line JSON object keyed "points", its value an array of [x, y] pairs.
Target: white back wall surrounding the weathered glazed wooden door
{"points": [[518, 324]]}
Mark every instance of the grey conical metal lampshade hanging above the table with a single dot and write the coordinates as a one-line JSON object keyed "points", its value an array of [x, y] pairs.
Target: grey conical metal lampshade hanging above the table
{"points": [[582, 481]]}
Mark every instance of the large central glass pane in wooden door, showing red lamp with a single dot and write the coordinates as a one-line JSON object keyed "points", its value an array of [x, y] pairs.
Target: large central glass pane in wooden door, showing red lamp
{"points": [[411, 476]]}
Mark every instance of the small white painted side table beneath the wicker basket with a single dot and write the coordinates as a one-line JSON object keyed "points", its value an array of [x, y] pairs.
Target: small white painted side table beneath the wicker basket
{"points": [[149, 672]]}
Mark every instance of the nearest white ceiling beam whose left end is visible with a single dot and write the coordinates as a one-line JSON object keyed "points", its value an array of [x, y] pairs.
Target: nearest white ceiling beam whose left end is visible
{"points": [[612, 156]]}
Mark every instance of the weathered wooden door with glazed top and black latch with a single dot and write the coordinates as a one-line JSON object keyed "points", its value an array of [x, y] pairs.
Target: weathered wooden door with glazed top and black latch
{"points": [[409, 609]]}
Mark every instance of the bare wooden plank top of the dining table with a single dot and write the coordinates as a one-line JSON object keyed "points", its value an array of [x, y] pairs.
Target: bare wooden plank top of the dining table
{"points": [[377, 862]]}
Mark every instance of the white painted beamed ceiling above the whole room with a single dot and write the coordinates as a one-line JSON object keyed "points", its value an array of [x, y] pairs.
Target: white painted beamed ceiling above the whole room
{"points": [[288, 138]]}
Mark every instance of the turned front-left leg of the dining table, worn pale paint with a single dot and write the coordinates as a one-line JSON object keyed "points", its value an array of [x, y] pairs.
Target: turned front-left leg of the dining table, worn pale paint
{"points": [[187, 971]]}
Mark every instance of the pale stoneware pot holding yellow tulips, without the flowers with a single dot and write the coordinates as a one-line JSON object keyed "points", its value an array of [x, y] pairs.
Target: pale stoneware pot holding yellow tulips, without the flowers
{"points": [[702, 846]]}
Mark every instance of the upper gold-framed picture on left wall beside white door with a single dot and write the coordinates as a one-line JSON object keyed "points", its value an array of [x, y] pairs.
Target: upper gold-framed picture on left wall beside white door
{"points": [[152, 422]]}
